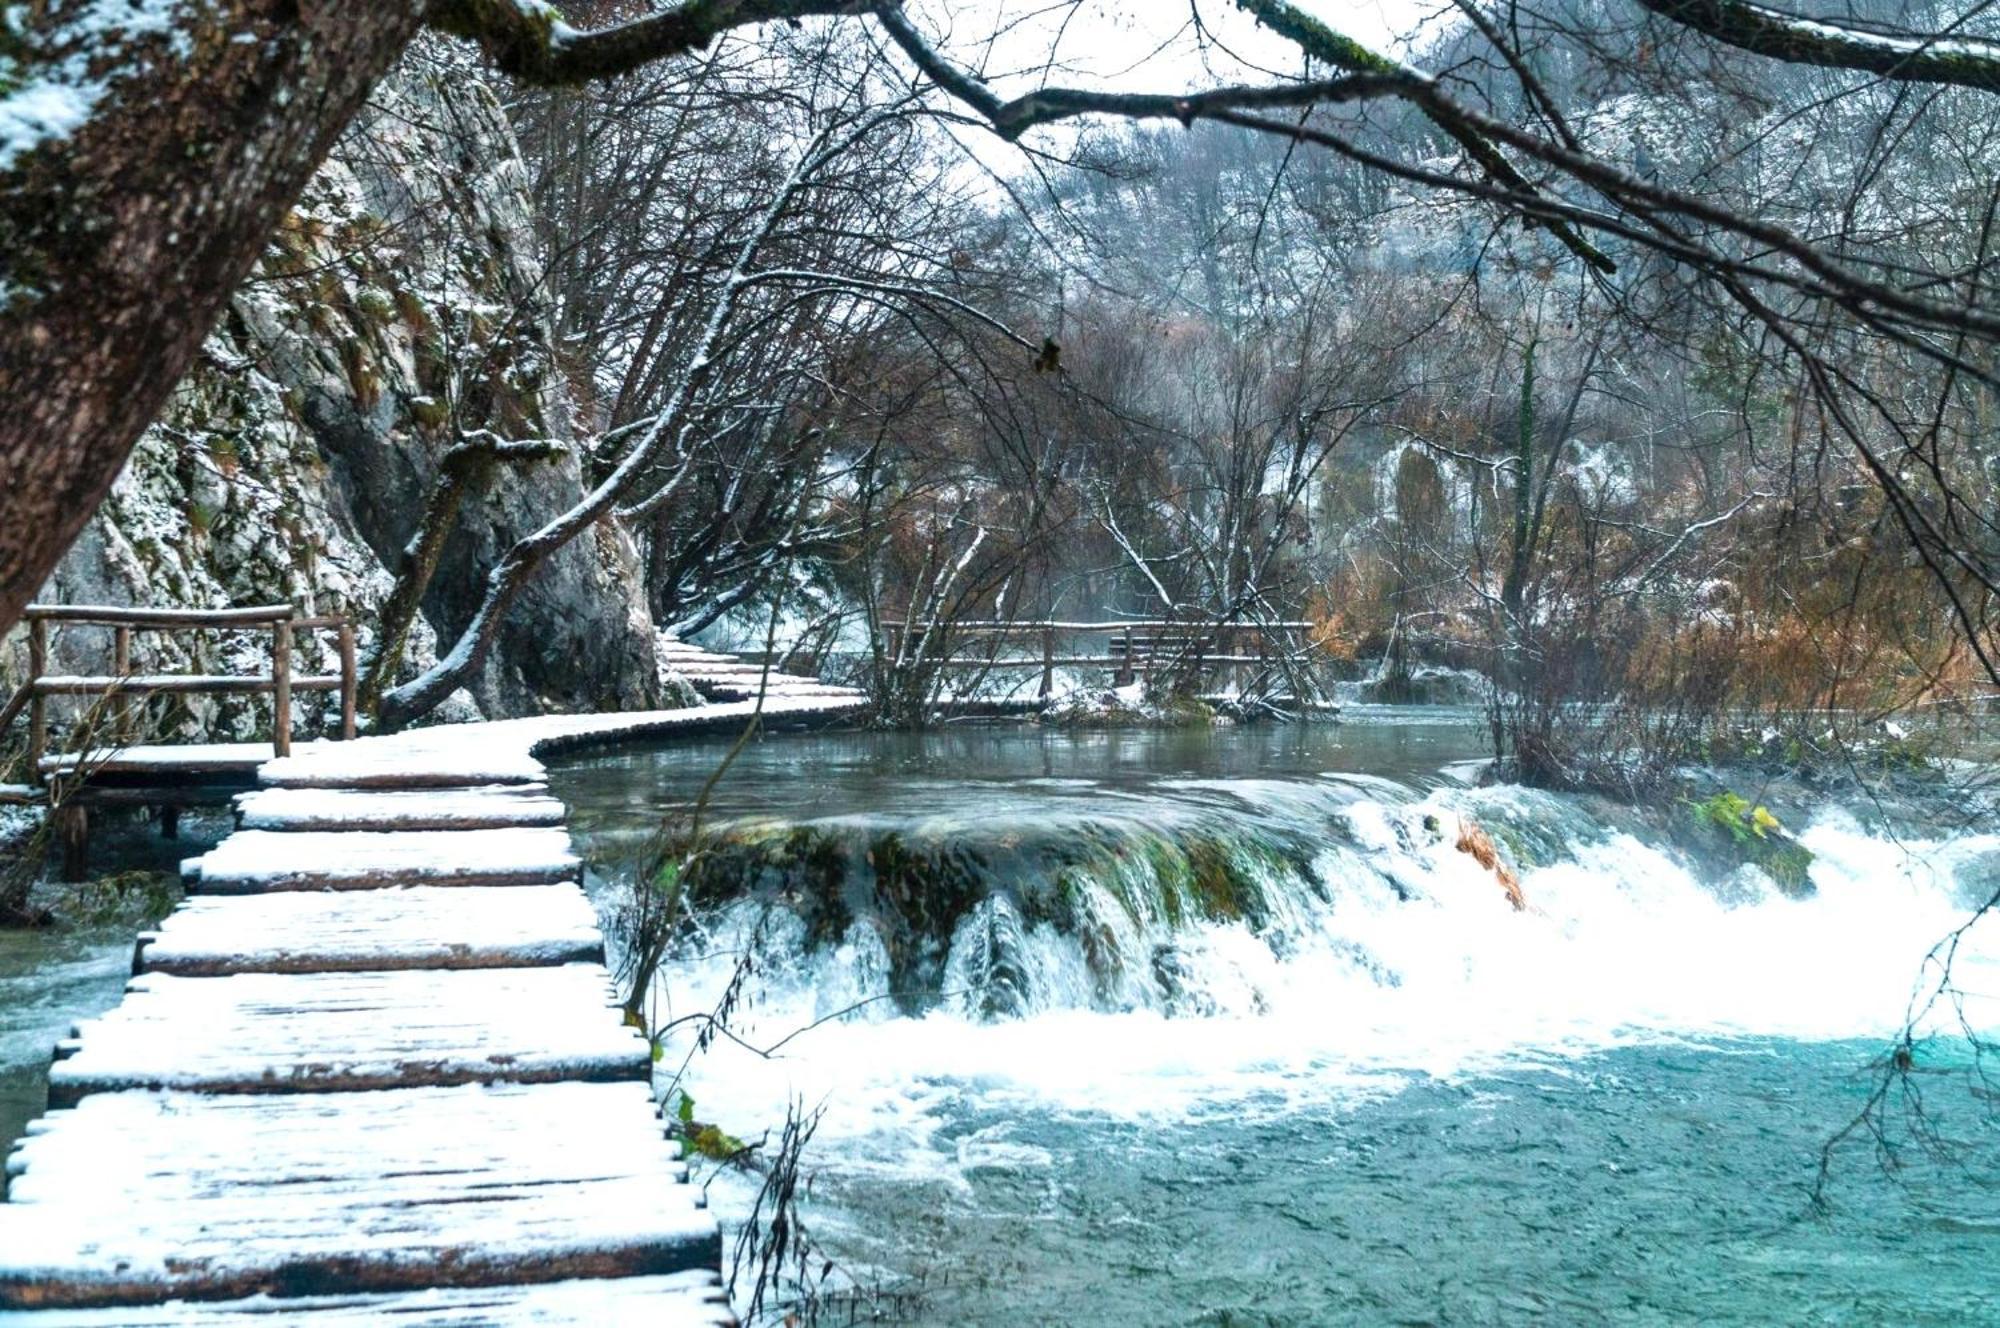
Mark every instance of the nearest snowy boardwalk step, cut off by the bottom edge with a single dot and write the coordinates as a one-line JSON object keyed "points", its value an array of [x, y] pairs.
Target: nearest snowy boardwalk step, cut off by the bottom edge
{"points": [[673, 1301]]}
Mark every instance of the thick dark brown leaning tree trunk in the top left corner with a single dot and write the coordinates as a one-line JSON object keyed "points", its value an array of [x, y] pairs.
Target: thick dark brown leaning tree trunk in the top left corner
{"points": [[123, 241]]}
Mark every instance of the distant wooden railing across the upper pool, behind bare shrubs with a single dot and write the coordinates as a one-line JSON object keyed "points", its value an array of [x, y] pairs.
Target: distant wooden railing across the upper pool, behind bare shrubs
{"points": [[1131, 647]]}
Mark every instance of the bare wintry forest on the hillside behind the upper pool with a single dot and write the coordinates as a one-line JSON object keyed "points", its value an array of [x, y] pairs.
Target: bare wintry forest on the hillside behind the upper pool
{"points": [[1279, 383]]}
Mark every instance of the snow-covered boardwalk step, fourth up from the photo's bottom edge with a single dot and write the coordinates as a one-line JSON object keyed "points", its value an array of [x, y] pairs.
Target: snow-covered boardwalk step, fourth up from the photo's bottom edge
{"points": [[319, 931]]}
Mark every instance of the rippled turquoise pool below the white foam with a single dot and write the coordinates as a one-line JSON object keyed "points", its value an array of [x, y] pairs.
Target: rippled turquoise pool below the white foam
{"points": [[1643, 1187]]}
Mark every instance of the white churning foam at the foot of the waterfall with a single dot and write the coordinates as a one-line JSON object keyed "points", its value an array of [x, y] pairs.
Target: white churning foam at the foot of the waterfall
{"points": [[1621, 947]]}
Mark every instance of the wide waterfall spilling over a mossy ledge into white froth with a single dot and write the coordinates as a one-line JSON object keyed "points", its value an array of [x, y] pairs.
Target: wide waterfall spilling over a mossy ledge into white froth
{"points": [[1341, 921]]}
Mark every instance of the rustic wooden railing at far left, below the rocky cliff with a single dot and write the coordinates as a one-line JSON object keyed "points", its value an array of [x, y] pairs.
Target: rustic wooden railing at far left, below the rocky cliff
{"points": [[121, 685]]}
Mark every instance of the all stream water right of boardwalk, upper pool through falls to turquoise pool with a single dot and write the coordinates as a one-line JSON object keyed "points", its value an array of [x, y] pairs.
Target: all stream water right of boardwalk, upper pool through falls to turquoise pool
{"points": [[1041, 955]]}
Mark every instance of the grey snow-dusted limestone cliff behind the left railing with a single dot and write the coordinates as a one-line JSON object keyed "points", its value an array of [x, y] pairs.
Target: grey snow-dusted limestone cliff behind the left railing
{"points": [[397, 313]]}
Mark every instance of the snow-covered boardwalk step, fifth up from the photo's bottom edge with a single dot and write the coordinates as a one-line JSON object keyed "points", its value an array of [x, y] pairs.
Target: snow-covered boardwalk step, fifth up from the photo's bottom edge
{"points": [[257, 861]]}
